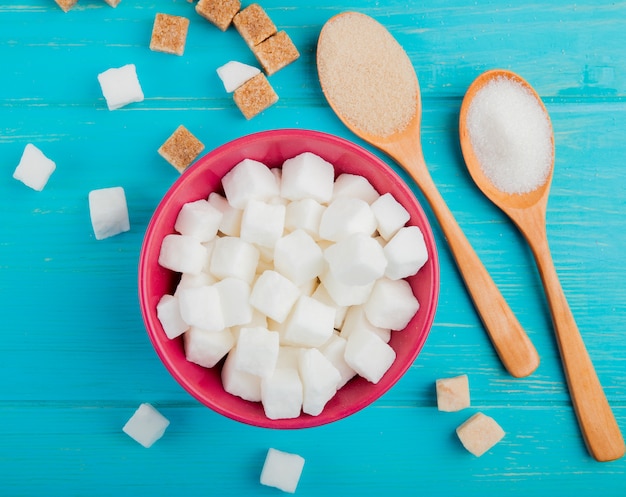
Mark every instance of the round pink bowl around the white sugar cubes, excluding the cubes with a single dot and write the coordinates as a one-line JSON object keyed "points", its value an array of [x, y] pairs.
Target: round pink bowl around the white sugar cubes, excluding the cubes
{"points": [[272, 148]]}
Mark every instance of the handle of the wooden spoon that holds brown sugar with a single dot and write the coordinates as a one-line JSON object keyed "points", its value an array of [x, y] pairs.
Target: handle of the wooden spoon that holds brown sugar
{"points": [[513, 346]]}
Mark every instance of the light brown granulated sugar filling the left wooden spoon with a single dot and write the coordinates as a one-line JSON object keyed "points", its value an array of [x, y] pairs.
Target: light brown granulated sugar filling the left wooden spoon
{"points": [[366, 75]]}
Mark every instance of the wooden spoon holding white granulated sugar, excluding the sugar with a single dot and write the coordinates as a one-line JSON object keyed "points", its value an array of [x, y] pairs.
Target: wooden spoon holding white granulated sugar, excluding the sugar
{"points": [[528, 211]]}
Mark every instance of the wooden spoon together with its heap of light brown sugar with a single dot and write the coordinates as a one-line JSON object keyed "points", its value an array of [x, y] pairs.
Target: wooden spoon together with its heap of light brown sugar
{"points": [[371, 85]]}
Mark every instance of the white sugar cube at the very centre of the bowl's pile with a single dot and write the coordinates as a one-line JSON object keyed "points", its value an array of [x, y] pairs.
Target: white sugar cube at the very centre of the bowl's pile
{"points": [[298, 257]]}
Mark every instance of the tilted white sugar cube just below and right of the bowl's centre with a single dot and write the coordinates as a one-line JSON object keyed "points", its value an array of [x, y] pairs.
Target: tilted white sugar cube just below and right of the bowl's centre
{"points": [[310, 324]]}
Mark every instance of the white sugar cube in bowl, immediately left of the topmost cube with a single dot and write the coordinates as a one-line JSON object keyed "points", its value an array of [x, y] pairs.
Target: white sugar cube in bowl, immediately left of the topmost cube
{"points": [[249, 179]]}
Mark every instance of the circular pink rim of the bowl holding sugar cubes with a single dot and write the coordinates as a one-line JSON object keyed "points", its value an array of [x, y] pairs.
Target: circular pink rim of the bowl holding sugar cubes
{"points": [[302, 421]]}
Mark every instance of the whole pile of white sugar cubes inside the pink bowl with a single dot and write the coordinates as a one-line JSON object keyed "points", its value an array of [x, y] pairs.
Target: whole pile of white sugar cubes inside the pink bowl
{"points": [[295, 277]]}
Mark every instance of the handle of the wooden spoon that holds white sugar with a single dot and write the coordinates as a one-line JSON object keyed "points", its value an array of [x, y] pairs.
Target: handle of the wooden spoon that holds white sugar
{"points": [[597, 422]]}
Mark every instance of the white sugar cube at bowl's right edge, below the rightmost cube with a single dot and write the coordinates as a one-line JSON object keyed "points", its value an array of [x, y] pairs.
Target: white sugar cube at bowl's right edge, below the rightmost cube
{"points": [[391, 304]]}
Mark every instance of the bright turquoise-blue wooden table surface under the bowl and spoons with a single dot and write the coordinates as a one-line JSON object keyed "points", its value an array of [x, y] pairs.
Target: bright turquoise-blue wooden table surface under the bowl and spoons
{"points": [[75, 361]]}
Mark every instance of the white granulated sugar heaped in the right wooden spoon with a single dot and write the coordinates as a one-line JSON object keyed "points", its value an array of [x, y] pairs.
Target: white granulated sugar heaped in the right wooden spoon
{"points": [[511, 135]]}
